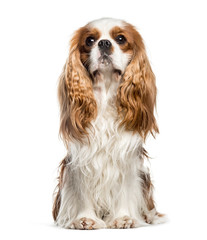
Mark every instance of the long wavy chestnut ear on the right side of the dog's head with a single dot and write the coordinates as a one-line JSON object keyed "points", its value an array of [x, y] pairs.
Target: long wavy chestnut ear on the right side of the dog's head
{"points": [[136, 96]]}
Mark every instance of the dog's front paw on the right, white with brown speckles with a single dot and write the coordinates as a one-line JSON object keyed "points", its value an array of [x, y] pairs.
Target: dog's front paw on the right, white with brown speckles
{"points": [[124, 222]]}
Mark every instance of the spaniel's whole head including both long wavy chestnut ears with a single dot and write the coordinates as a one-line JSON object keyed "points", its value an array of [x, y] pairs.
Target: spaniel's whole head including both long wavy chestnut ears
{"points": [[100, 46]]}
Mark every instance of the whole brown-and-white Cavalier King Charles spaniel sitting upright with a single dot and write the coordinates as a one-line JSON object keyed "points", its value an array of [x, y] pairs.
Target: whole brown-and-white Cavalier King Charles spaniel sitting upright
{"points": [[107, 95]]}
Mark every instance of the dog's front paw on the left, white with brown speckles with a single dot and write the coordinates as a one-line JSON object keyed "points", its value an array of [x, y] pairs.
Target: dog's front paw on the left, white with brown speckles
{"points": [[87, 224]]}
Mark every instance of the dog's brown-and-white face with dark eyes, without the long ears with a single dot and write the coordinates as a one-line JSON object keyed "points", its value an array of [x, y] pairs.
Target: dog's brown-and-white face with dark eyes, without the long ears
{"points": [[106, 45]]}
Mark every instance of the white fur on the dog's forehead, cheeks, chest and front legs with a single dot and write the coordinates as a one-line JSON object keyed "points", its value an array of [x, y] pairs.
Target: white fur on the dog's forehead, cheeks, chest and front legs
{"points": [[101, 181]]}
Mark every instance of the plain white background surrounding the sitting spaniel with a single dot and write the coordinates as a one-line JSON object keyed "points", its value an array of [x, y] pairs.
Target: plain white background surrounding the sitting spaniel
{"points": [[34, 45]]}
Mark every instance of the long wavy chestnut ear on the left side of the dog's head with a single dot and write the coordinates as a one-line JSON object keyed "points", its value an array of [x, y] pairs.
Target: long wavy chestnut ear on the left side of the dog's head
{"points": [[77, 103]]}
